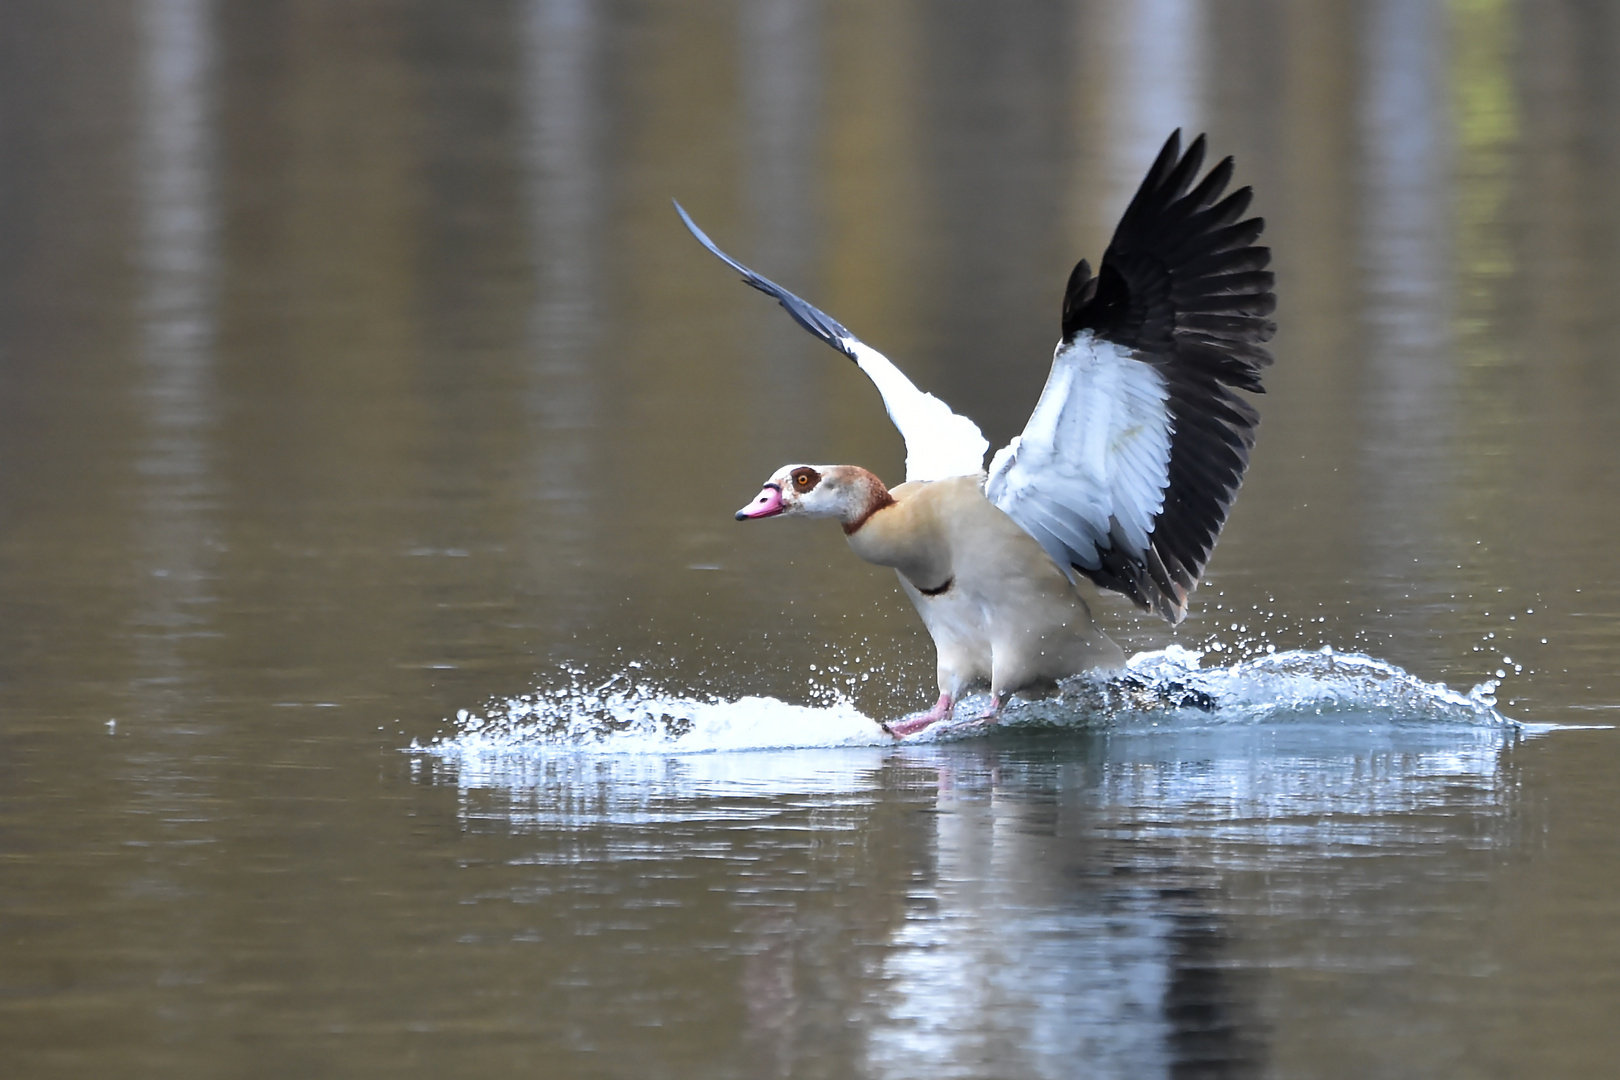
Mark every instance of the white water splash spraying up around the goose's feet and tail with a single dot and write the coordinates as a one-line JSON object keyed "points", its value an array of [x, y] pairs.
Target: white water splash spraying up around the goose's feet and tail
{"points": [[1162, 691]]}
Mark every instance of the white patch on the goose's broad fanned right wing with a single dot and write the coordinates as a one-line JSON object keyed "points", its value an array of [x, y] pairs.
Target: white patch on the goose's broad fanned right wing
{"points": [[1093, 466]]}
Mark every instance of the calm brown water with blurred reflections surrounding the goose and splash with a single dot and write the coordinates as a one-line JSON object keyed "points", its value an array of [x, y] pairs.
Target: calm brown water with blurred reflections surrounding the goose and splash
{"points": [[356, 372]]}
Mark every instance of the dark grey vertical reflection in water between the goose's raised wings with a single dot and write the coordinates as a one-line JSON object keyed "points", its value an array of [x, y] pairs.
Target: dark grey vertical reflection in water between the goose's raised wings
{"points": [[995, 127]]}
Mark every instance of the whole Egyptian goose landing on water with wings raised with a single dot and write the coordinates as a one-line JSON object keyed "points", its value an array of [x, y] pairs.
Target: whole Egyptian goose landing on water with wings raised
{"points": [[1125, 472]]}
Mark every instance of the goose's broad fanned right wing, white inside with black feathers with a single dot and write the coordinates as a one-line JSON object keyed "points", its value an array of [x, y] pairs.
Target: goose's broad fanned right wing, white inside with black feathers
{"points": [[1136, 451]]}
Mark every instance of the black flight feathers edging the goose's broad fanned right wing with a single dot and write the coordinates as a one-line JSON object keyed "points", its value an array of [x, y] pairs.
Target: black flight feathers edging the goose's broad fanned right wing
{"points": [[1185, 287]]}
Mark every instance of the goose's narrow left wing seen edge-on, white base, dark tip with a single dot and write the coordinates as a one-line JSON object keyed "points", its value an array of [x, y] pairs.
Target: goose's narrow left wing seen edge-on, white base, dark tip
{"points": [[939, 443]]}
